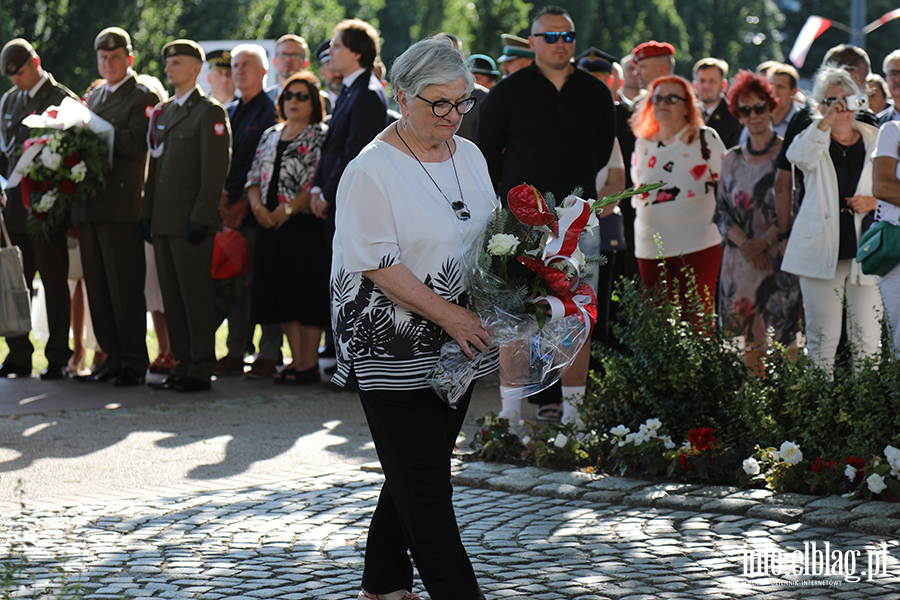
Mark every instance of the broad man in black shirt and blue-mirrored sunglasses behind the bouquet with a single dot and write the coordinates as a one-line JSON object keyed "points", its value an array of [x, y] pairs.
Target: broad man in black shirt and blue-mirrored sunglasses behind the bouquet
{"points": [[551, 125]]}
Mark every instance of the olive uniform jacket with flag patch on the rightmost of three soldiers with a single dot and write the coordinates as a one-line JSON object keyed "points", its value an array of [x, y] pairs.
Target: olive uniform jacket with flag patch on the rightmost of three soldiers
{"points": [[191, 145]]}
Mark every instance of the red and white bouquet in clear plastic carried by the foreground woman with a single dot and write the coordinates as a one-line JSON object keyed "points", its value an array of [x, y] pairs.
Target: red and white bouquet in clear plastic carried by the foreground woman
{"points": [[525, 285]]}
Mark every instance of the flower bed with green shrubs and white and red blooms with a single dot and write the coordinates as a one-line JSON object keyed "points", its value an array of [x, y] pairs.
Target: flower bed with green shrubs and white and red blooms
{"points": [[795, 429]]}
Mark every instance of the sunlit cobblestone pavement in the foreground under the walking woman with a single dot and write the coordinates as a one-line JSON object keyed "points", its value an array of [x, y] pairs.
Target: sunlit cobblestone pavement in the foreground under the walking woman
{"points": [[530, 534]]}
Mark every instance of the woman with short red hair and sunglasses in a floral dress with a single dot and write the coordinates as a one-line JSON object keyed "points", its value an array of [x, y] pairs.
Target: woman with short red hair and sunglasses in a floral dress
{"points": [[754, 293]]}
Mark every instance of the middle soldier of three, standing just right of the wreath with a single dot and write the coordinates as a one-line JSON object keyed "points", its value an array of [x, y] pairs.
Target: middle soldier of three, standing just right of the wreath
{"points": [[112, 251]]}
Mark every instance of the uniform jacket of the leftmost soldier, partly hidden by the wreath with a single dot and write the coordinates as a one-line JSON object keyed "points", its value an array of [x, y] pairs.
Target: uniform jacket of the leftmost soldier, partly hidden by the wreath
{"points": [[13, 135]]}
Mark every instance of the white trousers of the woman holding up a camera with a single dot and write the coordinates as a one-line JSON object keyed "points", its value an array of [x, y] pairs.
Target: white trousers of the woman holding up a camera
{"points": [[823, 299]]}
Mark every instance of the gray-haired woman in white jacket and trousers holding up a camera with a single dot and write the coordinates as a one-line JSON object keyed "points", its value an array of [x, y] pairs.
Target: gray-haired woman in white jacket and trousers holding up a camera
{"points": [[835, 153]]}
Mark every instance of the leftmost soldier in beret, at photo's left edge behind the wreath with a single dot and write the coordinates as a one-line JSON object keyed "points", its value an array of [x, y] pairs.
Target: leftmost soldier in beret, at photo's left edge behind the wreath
{"points": [[34, 90]]}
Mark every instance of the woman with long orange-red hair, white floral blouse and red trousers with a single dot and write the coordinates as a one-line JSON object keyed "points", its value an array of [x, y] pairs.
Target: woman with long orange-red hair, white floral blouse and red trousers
{"points": [[673, 146]]}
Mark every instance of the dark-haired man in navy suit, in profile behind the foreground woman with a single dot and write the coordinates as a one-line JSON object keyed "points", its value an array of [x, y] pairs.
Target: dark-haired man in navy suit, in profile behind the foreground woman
{"points": [[360, 112]]}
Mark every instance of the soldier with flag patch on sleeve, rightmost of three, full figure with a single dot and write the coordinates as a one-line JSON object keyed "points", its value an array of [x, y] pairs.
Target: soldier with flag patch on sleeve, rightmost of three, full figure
{"points": [[190, 146]]}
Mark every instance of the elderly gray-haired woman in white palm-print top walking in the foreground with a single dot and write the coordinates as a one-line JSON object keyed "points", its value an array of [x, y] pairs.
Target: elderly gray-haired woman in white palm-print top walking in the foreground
{"points": [[410, 209]]}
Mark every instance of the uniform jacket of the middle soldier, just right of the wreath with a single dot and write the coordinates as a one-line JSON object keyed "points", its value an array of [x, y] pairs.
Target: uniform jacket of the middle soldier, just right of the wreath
{"points": [[128, 109]]}
